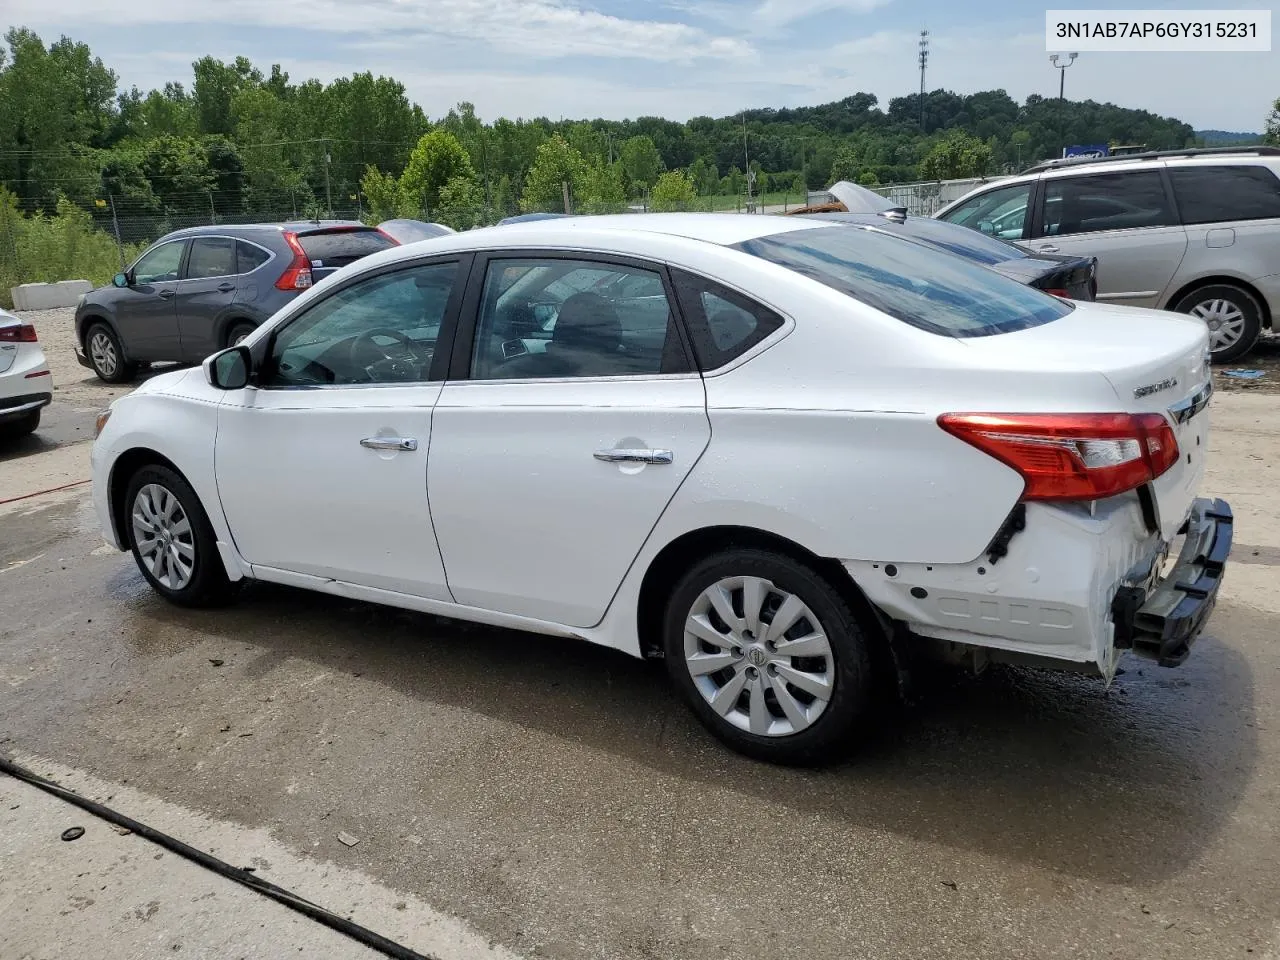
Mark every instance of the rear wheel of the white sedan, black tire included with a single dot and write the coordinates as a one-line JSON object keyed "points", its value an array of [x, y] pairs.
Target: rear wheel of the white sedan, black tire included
{"points": [[770, 656]]}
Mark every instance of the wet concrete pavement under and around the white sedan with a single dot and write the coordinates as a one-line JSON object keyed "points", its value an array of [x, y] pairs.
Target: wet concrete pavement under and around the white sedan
{"points": [[559, 802]]}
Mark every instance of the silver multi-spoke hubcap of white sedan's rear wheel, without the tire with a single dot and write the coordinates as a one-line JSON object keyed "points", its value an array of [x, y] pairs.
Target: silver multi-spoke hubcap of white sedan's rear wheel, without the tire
{"points": [[760, 657]]}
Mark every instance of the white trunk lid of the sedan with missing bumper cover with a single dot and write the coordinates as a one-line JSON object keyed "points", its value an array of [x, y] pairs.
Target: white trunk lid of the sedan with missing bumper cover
{"points": [[1156, 362]]}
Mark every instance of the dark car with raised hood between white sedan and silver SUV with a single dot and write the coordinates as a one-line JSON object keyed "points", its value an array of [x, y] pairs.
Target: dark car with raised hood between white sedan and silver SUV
{"points": [[1072, 277]]}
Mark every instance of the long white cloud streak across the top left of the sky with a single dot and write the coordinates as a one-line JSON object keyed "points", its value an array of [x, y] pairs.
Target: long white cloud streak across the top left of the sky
{"points": [[536, 29]]}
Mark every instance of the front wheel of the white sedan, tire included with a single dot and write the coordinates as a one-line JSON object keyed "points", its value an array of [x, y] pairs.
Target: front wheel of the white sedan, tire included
{"points": [[173, 542]]}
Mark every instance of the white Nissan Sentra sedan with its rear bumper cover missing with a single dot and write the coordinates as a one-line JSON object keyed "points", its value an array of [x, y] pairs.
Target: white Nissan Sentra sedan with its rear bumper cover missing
{"points": [[783, 455]]}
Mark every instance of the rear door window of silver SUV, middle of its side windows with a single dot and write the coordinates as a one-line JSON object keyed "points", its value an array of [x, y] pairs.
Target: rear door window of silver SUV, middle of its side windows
{"points": [[1109, 202]]}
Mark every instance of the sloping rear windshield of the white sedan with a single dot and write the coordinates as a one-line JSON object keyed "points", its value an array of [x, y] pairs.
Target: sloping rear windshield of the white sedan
{"points": [[922, 287]]}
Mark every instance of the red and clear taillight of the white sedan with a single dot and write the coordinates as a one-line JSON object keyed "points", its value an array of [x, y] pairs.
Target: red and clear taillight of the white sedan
{"points": [[1072, 456]]}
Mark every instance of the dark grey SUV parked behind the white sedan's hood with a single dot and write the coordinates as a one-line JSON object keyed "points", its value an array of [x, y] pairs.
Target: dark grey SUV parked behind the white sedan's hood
{"points": [[200, 290]]}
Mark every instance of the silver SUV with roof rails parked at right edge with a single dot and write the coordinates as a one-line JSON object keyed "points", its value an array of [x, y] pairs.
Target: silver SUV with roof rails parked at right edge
{"points": [[1194, 231]]}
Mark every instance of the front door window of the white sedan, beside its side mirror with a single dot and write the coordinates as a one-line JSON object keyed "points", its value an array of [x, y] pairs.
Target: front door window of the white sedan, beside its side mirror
{"points": [[378, 331]]}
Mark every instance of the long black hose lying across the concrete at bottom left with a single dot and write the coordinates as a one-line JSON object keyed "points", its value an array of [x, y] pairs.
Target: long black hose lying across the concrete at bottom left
{"points": [[221, 867]]}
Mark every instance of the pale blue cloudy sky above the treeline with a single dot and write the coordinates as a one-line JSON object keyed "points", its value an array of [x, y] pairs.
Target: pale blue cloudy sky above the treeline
{"points": [[668, 58]]}
